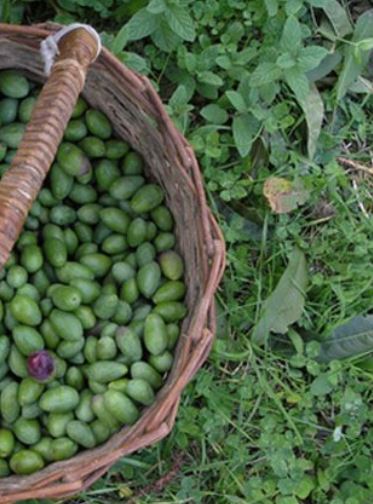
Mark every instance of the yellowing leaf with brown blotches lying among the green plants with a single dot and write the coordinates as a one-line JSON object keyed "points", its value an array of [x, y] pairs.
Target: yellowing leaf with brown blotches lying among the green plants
{"points": [[284, 195]]}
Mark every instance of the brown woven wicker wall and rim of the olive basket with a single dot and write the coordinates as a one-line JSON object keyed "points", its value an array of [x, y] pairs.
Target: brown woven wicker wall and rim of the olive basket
{"points": [[138, 117]]}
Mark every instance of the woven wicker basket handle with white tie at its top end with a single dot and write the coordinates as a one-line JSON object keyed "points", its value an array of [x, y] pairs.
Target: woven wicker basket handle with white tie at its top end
{"points": [[76, 48]]}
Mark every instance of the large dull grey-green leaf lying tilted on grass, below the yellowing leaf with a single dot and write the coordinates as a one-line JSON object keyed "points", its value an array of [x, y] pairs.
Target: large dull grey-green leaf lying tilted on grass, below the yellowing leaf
{"points": [[286, 303]]}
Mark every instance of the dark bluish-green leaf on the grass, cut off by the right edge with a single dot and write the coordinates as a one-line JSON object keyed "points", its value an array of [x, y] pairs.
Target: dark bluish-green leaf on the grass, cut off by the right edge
{"points": [[353, 338]]}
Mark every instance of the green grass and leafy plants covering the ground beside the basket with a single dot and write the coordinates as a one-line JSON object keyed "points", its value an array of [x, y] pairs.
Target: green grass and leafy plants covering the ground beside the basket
{"points": [[276, 98]]}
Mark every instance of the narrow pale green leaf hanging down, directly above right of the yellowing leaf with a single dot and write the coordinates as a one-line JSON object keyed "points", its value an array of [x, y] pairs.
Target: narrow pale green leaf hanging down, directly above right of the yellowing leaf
{"points": [[313, 108]]}
